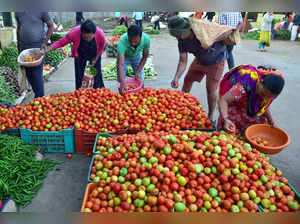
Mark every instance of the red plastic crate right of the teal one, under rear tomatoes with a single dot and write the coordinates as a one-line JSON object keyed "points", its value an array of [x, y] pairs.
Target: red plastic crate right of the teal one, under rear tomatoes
{"points": [[85, 141]]}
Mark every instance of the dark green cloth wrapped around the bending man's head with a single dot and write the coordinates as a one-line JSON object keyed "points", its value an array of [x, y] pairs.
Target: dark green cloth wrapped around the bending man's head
{"points": [[178, 25]]}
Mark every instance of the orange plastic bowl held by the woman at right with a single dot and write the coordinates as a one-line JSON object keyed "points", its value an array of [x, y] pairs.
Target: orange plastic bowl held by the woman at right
{"points": [[277, 137]]}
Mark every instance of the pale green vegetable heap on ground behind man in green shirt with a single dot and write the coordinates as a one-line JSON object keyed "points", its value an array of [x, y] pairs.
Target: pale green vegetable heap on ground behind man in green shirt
{"points": [[109, 72]]}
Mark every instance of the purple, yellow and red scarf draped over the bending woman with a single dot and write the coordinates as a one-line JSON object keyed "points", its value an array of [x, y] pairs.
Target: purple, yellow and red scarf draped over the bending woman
{"points": [[249, 77]]}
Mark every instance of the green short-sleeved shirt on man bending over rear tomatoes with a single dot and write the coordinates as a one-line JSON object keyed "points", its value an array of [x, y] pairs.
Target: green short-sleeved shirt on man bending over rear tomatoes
{"points": [[129, 51]]}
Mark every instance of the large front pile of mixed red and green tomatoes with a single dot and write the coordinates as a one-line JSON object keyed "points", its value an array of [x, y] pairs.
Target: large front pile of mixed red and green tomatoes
{"points": [[184, 171]]}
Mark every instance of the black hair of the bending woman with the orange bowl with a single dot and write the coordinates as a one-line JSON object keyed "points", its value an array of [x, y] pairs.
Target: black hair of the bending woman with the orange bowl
{"points": [[274, 83]]}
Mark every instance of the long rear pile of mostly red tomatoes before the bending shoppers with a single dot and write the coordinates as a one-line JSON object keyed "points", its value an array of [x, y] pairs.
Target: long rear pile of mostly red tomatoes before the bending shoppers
{"points": [[101, 110]]}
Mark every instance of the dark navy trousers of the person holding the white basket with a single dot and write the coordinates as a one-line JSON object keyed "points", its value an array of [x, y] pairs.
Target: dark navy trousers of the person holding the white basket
{"points": [[35, 78]]}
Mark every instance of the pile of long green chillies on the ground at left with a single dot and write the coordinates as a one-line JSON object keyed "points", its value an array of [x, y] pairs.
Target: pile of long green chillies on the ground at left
{"points": [[21, 174]]}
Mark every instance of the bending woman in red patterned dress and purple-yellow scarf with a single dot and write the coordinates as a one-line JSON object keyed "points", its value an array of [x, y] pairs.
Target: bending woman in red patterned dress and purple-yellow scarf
{"points": [[246, 94]]}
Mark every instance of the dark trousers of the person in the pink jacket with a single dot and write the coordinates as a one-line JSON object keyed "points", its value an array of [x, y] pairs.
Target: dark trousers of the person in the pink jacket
{"points": [[80, 64]]}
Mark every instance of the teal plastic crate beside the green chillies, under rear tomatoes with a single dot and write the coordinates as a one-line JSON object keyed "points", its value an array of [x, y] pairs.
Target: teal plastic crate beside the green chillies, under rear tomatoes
{"points": [[51, 141]]}
